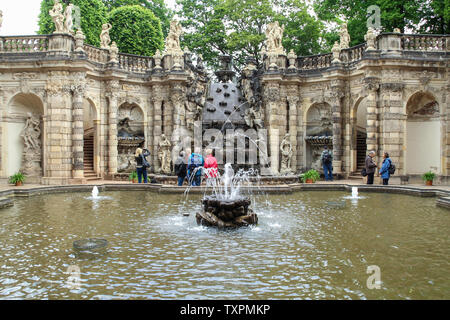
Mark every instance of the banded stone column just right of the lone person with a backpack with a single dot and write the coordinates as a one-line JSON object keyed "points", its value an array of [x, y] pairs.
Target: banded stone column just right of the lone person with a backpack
{"points": [[336, 109]]}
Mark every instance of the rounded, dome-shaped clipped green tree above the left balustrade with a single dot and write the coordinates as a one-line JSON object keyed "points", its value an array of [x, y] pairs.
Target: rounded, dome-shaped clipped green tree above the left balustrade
{"points": [[136, 30]]}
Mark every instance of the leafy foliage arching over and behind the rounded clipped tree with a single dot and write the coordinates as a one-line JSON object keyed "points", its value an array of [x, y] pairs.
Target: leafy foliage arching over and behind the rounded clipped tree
{"points": [[158, 7]]}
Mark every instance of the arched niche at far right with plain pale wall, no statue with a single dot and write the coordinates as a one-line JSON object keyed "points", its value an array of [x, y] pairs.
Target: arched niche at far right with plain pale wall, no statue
{"points": [[423, 134]]}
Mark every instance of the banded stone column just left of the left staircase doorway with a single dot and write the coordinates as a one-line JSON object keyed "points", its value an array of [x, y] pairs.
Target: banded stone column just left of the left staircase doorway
{"points": [[78, 131]]}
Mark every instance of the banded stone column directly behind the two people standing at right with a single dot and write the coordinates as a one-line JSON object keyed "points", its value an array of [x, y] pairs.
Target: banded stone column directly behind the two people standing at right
{"points": [[371, 86]]}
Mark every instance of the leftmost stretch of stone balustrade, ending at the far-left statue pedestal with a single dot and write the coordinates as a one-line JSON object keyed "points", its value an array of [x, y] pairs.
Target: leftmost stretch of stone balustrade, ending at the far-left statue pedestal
{"points": [[21, 44]]}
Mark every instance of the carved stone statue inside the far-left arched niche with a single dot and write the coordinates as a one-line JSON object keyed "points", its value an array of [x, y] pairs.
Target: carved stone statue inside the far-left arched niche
{"points": [[31, 133]]}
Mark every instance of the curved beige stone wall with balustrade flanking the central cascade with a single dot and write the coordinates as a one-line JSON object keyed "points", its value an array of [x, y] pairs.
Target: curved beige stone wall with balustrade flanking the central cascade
{"points": [[63, 75]]}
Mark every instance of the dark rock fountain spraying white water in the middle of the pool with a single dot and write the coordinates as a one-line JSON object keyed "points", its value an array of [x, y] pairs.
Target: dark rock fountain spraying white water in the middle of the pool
{"points": [[225, 208]]}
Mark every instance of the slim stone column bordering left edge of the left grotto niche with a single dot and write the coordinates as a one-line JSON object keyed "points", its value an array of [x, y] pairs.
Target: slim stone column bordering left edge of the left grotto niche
{"points": [[112, 130]]}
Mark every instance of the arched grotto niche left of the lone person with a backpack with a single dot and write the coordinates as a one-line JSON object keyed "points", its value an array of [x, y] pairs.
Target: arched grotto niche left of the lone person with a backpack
{"points": [[318, 133]]}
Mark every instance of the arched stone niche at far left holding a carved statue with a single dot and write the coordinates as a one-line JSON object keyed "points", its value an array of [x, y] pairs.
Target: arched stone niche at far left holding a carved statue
{"points": [[23, 137]]}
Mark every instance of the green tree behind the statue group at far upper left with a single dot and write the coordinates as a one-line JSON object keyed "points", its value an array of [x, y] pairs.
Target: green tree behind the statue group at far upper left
{"points": [[93, 15]]}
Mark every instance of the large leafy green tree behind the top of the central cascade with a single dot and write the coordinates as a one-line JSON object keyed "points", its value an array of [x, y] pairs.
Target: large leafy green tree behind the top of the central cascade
{"points": [[237, 27]]}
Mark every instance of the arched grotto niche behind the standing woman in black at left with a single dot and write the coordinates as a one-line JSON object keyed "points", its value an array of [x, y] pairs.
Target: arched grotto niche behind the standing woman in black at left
{"points": [[130, 134]]}
